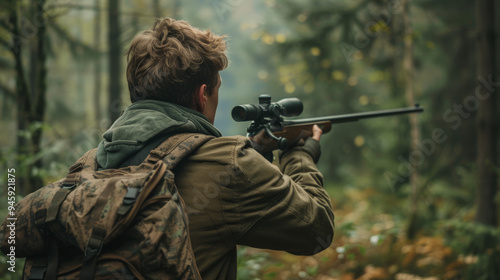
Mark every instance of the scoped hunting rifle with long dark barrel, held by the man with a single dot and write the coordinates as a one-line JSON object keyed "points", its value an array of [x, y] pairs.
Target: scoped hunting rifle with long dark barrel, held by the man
{"points": [[269, 117]]}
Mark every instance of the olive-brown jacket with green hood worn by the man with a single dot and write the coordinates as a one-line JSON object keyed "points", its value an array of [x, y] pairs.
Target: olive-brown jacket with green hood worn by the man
{"points": [[233, 195]]}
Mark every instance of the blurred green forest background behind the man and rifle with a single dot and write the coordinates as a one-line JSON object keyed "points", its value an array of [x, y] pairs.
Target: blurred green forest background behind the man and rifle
{"points": [[415, 197]]}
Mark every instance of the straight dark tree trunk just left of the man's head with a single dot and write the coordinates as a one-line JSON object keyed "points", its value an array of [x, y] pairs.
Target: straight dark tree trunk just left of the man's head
{"points": [[115, 56]]}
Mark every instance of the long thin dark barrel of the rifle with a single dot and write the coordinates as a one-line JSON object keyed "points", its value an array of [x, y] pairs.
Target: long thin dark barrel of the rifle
{"points": [[356, 116]]}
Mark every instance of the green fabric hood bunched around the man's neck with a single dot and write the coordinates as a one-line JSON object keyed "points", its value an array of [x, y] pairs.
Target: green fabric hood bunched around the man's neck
{"points": [[142, 121]]}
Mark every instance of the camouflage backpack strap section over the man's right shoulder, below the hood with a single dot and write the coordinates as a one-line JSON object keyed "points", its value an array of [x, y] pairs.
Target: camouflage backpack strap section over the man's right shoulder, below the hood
{"points": [[175, 148]]}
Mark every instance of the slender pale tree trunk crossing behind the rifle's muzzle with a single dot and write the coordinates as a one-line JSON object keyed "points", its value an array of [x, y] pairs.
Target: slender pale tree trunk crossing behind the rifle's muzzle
{"points": [[414, 130]]}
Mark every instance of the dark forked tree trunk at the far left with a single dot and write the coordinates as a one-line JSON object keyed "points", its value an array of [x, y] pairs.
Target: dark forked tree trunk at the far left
{"points": [[30, 92]]}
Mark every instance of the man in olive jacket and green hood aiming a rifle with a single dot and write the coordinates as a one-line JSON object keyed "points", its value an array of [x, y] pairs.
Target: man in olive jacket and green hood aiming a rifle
{"points": [[233, 195]]}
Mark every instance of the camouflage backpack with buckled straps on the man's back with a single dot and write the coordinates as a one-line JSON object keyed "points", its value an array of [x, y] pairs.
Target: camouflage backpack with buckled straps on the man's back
{"points": [[122, 223]]}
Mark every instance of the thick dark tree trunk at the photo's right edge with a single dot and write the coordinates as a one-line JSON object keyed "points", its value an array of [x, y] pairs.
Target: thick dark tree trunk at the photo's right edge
{"points": [[486, 119]]}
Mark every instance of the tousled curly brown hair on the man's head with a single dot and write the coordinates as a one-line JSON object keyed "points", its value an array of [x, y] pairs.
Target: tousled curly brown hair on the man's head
{"points": [[170, 60]]}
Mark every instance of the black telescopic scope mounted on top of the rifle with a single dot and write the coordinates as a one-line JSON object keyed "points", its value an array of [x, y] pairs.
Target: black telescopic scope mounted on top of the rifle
{"points": [[288, 107]]}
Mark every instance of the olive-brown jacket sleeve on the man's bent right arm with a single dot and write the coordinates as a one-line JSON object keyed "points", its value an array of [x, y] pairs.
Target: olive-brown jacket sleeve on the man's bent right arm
{"points": [[285, 209]]}
